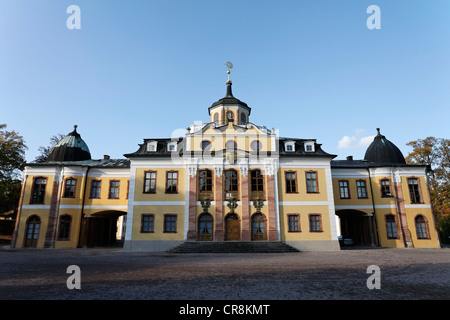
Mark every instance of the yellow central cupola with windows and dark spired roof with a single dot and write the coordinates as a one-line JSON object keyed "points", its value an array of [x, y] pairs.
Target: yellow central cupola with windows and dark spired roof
{"points": [[229, 109]]}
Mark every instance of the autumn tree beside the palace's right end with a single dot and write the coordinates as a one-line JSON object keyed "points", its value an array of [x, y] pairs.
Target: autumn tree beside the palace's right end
{"points": [[435, 152]]}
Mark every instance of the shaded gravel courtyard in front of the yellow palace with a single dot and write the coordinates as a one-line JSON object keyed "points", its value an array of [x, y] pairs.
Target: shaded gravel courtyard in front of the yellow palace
{"points": [[112, 274]]}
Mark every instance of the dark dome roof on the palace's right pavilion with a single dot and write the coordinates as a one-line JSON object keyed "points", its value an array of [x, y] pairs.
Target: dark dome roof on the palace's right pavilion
{"points": [[383, 150]]}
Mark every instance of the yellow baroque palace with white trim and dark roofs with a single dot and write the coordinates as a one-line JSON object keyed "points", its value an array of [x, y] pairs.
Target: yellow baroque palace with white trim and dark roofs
{"points": [[225, 180]]}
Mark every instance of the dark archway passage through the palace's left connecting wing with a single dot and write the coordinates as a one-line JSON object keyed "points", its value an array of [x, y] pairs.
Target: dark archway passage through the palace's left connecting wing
{"points": [[100, 229]]}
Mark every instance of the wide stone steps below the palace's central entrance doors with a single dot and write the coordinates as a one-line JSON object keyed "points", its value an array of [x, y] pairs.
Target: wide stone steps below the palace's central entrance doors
{"points": [[232, 247]]}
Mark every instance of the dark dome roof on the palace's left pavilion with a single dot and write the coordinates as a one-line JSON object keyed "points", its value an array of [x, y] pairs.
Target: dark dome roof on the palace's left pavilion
{"points": [[70, 148]]}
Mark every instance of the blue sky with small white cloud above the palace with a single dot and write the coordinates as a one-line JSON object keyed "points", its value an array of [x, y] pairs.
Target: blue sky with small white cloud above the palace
{"points": [[142, 69]]}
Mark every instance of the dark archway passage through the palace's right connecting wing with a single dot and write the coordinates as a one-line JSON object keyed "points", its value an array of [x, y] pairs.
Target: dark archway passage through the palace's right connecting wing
{"points": [[358, 226]]}
